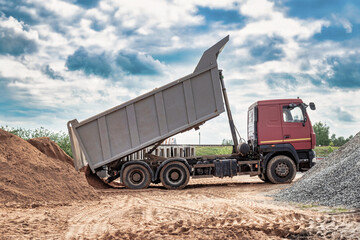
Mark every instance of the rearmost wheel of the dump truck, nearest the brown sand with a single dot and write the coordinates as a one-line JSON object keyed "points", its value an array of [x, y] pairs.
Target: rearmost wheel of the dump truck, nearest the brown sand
{"points": [[136, 176]]}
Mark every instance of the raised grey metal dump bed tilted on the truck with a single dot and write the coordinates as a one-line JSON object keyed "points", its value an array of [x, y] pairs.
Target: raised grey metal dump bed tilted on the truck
{"points": [[148, 119]]}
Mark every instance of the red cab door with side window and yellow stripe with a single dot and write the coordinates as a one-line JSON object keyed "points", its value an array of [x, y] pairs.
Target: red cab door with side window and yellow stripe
{"points": [[296, 129]]}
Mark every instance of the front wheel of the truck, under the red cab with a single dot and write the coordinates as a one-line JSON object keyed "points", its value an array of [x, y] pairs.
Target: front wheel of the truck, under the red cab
{"points": [[281, 169]]}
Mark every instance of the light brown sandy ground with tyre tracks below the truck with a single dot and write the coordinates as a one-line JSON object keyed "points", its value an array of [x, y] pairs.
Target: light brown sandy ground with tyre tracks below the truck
{"points": [[237, 208]]}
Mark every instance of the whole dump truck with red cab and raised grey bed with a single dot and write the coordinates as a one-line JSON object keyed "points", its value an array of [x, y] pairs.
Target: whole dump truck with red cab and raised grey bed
{"points": [[280, 135]]}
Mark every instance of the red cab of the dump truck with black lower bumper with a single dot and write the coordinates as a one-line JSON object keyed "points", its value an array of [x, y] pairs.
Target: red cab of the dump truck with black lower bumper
{"points": [[281, 129]]}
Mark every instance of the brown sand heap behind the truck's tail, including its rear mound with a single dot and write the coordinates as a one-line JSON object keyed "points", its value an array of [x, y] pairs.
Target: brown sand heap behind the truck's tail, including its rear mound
{"points": [[28, 176]]}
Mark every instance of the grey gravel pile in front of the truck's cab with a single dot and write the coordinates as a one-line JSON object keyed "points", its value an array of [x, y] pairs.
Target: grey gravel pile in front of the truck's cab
{"points": [[335, 181]]}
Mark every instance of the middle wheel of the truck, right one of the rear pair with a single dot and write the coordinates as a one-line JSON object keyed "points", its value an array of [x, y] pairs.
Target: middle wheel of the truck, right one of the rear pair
{"points": [[174, 175]]}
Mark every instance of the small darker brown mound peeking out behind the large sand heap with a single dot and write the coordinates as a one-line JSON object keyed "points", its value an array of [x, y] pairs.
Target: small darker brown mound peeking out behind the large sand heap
{"points": [[50, 149]]}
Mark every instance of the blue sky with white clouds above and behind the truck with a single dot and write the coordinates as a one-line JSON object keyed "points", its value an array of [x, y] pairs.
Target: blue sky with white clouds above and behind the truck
{"points": [[66, 59]]}
